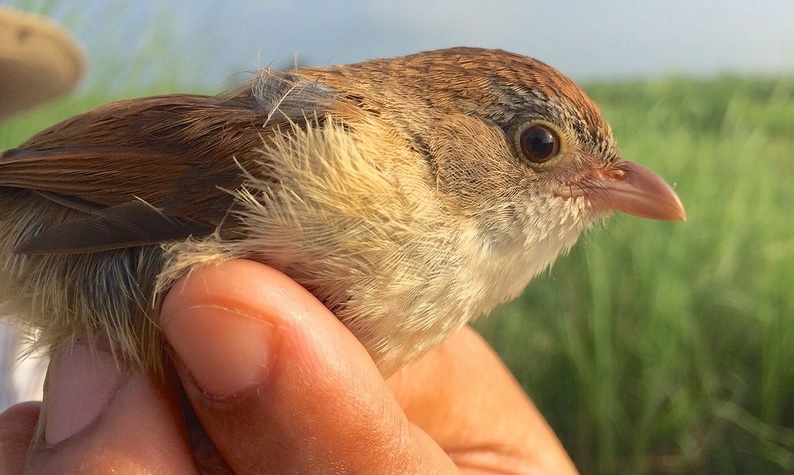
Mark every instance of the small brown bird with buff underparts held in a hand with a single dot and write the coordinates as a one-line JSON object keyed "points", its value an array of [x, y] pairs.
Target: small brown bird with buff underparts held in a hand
{"points": [[410, 195]]}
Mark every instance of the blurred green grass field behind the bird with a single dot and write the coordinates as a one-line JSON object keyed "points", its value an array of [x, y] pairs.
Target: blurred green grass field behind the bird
{"points": [[653, 347]]}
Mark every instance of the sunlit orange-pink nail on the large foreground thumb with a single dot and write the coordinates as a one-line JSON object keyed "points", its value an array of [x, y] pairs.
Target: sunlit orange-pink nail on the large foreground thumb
{"points": [[225, 350]]}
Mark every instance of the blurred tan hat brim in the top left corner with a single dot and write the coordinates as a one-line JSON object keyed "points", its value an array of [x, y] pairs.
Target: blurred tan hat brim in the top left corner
{"points": [[38, 61]]}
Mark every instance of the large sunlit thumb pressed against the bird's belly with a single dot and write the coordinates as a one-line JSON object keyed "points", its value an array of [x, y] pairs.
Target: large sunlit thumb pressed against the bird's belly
{"points": [[279, 384]]}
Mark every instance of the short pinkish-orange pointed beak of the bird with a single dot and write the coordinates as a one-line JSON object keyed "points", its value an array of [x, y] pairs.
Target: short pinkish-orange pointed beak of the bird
{"points": [[636, 190]]}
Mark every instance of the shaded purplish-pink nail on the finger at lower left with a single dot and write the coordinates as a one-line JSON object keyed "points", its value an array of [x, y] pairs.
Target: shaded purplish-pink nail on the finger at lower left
{"points": [[81, 382]]}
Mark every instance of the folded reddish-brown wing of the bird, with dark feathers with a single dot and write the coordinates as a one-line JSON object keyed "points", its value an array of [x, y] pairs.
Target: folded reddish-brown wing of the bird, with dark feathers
{"points": [[154, 169]]}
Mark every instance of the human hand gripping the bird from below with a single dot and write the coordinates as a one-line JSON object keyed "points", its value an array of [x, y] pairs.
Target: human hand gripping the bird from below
{"points": [[280, 386]]}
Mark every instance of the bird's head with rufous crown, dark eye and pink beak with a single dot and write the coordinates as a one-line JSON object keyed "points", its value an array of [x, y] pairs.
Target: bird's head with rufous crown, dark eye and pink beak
{"points": [[522, 139]]}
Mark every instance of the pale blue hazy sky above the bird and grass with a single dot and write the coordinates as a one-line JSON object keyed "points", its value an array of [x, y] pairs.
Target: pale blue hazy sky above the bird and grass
{"points": [[208, 41]]}
